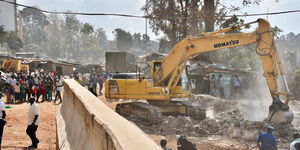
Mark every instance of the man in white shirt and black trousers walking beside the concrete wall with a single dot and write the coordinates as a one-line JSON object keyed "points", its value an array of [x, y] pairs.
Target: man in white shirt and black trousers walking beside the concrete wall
{"points": [[33, 122]]}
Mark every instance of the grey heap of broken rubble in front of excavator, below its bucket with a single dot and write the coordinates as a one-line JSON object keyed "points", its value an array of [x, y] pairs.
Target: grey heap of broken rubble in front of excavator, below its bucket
{"points": [[227, 121]]}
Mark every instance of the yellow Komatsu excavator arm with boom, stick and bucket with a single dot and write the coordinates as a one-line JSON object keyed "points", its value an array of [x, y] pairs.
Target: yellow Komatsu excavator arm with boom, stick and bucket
{"points": [[172, 65]]}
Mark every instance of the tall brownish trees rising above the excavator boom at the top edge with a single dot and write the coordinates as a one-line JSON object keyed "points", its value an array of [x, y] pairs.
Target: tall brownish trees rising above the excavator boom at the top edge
{"points": [[181, 18]]}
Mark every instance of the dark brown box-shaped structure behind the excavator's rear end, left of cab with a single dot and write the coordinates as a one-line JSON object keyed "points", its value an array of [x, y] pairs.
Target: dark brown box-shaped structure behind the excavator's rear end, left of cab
{"points": [[120, 62]]}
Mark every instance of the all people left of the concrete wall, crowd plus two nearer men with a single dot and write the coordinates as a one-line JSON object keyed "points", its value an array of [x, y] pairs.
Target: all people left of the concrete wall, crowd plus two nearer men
{"points": [[32, 87]]}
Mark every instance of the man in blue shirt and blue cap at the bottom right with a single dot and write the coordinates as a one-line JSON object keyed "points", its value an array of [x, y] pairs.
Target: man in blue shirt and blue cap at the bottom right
{"points": [[266, 140]]}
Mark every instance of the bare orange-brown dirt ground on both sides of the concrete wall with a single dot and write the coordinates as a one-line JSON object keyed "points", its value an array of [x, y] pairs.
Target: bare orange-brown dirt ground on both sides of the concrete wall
{"points": [[15, 136]]}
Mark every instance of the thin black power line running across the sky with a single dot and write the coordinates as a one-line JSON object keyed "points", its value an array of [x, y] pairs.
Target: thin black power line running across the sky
{"points": [[137, 16]]}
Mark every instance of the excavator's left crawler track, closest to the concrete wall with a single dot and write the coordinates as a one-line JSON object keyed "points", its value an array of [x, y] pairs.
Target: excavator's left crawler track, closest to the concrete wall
{"points": [[140, 110]]}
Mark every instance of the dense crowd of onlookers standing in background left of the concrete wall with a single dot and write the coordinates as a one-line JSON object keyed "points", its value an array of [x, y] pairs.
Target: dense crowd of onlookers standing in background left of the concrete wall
{"points": [[20, 87]]}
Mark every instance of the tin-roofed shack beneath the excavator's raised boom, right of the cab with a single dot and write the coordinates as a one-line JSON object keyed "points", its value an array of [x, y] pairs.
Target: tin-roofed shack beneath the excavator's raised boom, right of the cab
{"points": [[202, 70]]}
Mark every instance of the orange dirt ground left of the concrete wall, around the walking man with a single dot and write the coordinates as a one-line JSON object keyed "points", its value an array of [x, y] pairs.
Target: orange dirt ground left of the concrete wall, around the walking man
{"points": [[15, 137]]}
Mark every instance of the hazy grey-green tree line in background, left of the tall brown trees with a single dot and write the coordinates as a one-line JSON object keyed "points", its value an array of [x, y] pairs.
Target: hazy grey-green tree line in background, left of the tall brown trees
{"points": [[65, 37]]}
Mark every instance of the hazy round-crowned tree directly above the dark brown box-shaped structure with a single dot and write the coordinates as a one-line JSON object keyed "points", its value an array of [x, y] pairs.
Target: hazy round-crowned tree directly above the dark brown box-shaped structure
{"points": [[123, 39]]}
